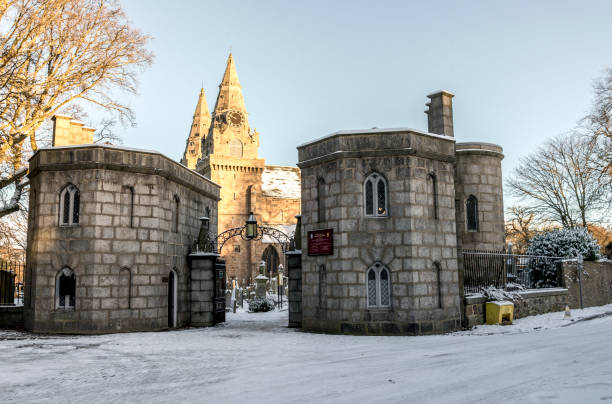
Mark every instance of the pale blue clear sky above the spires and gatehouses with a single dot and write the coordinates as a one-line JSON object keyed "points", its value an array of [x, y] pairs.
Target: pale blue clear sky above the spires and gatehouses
{"points": [[521, 71]]}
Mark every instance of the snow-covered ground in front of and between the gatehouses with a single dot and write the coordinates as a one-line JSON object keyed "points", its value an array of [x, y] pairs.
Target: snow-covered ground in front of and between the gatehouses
{"points": [[254, 358]]}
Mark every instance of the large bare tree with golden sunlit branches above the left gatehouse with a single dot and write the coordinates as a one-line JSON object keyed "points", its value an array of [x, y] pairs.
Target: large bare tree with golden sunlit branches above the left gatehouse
{"points": [[54, 53]]}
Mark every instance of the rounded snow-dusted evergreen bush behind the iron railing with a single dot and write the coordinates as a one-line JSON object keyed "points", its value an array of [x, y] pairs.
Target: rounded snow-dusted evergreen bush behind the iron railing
{"points": [[568, 243]]}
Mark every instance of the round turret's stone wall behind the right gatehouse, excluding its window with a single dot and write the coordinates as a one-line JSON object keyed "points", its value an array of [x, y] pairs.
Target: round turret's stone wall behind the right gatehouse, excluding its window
{"points": [[478, 173]]}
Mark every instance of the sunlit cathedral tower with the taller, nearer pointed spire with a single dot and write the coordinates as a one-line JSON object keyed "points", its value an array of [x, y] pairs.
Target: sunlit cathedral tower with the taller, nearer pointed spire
{"points": [[230, 158]]}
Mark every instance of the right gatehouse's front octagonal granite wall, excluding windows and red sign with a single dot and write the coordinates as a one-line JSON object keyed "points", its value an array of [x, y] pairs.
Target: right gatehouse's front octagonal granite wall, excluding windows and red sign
{"points": [[408, 242]]}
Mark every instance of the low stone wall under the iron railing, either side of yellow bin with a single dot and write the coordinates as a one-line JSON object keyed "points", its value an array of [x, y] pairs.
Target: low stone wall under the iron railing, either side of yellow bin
{"points": [[527, 303]]}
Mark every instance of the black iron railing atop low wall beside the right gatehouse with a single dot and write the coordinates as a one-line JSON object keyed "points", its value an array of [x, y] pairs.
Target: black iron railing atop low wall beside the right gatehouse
{"points": [[484, 268]]}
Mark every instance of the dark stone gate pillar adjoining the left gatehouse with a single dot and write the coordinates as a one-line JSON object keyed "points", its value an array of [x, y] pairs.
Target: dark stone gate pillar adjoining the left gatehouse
{"points": [[202, 288]]}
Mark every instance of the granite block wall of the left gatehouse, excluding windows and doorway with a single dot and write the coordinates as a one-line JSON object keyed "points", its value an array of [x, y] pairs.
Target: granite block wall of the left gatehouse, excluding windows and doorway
{"points": [[128, 239]]}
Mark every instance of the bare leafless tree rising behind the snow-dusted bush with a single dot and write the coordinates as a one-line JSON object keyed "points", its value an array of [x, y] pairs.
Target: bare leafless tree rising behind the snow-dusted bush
{"points": [[564, 182]]}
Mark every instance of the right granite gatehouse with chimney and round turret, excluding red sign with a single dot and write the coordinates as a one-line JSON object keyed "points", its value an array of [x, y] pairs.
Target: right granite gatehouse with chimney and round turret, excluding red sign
{"points": [[400, 202]]}
